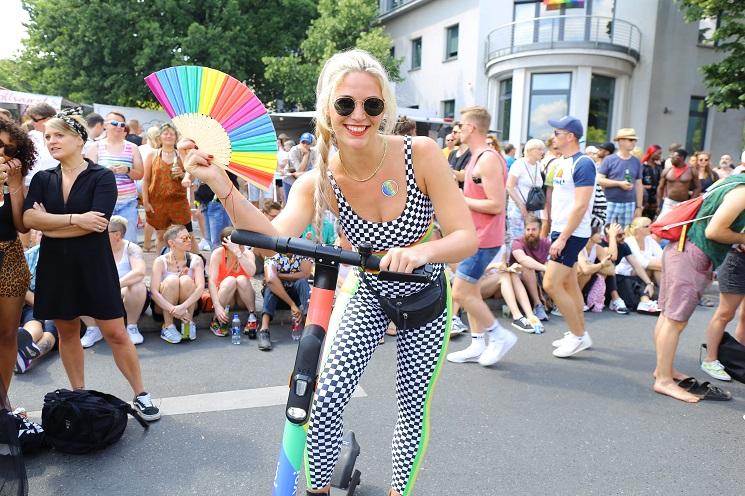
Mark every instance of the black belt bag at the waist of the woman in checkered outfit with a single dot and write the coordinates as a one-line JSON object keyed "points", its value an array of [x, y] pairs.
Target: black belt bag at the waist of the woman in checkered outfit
{"points": [[414, 310]]}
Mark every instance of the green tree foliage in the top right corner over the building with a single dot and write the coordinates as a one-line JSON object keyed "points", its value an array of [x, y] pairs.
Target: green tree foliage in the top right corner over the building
{"points": [[726, 78]]}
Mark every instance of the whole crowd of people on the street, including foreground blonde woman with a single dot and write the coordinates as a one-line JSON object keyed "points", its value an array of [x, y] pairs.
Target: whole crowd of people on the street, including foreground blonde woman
{"points": [[561, 231]]}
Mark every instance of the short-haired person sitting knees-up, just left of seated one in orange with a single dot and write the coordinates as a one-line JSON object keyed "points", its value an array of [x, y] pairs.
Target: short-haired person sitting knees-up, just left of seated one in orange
{"points": [[176, 285]]}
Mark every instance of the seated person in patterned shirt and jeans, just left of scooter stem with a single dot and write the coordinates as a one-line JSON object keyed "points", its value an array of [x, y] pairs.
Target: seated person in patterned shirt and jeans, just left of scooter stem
{"points": [[285, 279]]}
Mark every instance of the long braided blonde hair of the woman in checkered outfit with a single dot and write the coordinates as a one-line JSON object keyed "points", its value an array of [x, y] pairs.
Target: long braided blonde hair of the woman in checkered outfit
{"points": [[334, 71]]}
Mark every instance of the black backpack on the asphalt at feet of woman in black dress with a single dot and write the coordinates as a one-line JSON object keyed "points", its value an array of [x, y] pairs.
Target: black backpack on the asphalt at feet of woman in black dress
{"points": [[82, 421]]}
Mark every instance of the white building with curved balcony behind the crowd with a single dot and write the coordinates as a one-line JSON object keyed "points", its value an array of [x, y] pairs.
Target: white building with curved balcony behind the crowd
{"points": [[611, 63]]}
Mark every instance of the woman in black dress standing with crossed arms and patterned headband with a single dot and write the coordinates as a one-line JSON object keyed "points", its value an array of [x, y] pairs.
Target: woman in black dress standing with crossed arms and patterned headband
{"points": [[76, 273]]}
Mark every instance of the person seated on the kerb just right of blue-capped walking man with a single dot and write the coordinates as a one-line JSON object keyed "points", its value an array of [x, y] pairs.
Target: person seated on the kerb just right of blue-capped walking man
{"points": [[594, 264]]}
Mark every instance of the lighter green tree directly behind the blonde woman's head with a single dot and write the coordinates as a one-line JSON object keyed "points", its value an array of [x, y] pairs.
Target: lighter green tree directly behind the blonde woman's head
{"points": [[341, 24]]}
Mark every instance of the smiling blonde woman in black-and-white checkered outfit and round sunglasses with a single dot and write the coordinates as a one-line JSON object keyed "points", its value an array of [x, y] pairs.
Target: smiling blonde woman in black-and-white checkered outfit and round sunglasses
{"points": [[384, 189]]}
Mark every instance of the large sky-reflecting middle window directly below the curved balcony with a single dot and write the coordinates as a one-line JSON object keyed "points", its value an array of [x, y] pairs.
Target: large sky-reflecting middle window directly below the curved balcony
{"points": [[549, 99]]}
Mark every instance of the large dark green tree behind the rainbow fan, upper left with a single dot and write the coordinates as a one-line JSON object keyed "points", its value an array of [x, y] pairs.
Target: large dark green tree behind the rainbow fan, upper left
{"points": [[100, 50]]}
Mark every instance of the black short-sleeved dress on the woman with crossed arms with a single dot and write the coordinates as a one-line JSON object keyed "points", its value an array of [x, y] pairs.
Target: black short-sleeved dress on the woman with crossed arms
{"points": [[76, 276]]}
